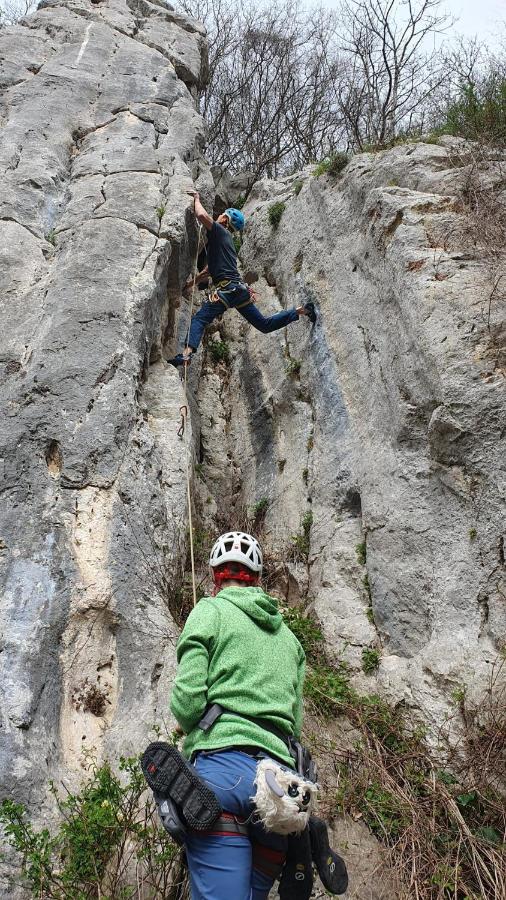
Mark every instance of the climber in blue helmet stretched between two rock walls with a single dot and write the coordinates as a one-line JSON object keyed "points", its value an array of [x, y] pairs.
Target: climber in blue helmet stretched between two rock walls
{"points": [[230, 292]]}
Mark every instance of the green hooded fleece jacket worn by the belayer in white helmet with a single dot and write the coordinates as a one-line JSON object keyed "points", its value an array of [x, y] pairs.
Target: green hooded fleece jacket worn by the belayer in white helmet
{"points": [[236, 650]]}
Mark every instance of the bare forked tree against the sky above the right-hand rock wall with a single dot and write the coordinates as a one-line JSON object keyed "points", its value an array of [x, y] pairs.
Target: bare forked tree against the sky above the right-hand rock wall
{"points": [[389, 74]]}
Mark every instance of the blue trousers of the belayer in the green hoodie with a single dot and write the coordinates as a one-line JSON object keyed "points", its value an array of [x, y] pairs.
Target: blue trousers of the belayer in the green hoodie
{"points": [[233, 866]]}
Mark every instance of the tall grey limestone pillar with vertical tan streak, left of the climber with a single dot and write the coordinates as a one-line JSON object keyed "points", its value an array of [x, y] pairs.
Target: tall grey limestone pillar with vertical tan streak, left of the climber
{"points": [[99, 142]]}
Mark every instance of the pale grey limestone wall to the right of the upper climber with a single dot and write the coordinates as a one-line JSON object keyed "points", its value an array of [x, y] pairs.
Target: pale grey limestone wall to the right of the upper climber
{"points": [[384, 425]]}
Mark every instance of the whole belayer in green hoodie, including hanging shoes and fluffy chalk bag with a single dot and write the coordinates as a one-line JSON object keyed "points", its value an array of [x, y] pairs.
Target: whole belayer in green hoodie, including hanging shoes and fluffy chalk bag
{"points": [[243, 808]]}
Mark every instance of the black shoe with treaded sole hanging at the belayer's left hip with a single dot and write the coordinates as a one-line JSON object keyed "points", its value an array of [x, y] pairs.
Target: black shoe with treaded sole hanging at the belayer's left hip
{"points": [[170, 776]]}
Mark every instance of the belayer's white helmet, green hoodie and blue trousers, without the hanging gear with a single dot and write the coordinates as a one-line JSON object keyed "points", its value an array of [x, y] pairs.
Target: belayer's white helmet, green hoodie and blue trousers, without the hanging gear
{"points": [[236, 651]]}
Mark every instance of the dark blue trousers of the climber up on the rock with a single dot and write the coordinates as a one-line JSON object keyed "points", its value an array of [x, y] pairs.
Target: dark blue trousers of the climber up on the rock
{"points": [[233, 298]]}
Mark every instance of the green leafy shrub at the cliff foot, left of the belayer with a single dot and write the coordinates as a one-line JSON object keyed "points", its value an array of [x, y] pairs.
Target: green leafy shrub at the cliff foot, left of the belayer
{"points": [[106, 830]]}
